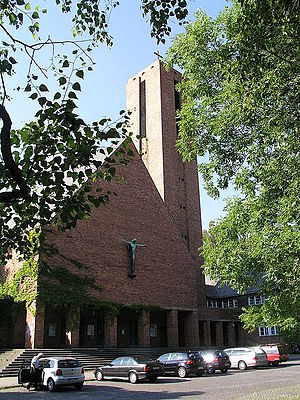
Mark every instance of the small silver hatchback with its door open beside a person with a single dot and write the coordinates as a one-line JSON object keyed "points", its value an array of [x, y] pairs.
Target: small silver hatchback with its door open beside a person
{"points": [[56, 371]]}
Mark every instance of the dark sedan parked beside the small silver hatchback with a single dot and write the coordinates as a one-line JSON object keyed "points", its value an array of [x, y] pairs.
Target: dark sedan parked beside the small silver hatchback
{"points": [[132, 368]]}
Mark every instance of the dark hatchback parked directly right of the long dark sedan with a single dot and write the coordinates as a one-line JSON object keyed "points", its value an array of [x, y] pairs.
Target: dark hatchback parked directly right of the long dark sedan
{"points": [[182, 364]]}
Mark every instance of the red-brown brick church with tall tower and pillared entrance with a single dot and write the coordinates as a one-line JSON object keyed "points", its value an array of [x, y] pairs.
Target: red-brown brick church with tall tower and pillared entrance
{"points": [[142, 248]]}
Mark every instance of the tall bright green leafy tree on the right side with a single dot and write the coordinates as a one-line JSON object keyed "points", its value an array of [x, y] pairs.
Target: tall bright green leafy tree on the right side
{"points": [[241, 108]]}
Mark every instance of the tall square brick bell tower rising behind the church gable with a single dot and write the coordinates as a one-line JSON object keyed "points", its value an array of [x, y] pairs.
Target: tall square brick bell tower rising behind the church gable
{"points": [[153, 100]]}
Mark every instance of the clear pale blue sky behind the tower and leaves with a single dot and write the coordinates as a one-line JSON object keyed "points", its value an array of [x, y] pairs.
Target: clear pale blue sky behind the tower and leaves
{"points": [[104, 89]]}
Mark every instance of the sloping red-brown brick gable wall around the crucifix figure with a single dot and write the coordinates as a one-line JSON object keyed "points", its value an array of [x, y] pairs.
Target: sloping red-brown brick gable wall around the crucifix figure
{"points": [[165, 270]]}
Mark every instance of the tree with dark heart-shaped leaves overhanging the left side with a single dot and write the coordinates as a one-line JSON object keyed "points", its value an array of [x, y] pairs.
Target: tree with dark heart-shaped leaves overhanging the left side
{"points": [[49, 164]]}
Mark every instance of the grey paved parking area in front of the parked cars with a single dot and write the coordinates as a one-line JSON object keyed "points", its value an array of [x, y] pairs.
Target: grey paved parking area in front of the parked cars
{"points": [[265, 383]]}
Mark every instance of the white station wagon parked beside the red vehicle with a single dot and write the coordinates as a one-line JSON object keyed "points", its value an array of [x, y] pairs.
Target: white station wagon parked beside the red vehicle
{"points": [[244, 357]]}
